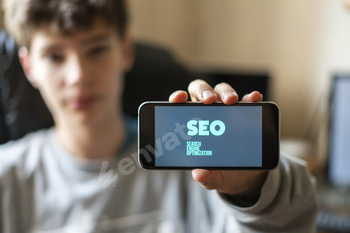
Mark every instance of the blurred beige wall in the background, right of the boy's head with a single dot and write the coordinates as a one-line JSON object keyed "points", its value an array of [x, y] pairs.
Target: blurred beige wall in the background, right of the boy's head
{"points": [[300, 45]]}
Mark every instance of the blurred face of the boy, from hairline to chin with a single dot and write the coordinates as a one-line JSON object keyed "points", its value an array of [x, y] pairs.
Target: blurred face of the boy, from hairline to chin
{"points": [[80, 76]]}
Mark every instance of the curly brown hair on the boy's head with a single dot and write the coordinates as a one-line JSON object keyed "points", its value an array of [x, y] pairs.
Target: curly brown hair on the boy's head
{"points": [[23, 17]]}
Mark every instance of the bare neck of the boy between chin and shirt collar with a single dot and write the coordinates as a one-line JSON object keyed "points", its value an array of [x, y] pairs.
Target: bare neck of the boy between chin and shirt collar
{"points": [[93, 141]]}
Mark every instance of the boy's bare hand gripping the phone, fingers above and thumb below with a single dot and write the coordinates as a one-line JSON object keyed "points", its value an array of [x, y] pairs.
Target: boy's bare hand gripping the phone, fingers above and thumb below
{"points": [[243, 183]]}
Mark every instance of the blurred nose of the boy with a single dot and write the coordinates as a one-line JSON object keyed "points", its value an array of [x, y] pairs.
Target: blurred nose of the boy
{"points": [[77, 72]]}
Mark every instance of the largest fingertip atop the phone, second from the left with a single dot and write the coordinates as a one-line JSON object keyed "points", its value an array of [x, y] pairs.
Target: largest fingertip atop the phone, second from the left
{"points": [[201, 91]]}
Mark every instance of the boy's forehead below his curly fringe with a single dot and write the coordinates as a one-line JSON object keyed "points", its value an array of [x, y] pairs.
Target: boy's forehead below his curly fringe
{"points": [[47, 37]]}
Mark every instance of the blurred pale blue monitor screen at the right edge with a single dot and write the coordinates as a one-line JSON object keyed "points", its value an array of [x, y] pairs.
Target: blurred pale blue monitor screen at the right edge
{"points": [[339, 148]]}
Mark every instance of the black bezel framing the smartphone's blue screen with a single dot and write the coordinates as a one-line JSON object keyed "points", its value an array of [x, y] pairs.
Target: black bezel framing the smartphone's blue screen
{"points": [[270, 125]]}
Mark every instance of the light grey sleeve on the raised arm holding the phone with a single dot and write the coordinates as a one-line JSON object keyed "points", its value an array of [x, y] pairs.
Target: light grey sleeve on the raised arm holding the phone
{"points": [[287, 201]]}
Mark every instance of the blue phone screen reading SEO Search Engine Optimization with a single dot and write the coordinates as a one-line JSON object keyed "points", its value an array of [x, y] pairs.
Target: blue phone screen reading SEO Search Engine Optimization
{"points": [[208, 136]]}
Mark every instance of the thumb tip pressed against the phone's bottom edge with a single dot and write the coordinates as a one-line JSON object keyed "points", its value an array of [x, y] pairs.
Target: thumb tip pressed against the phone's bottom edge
{"points": [[209, 179]]}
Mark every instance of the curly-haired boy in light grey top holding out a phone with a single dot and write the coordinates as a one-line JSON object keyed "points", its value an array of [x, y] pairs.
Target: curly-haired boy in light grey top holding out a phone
{"points": [[56, 180]]}
